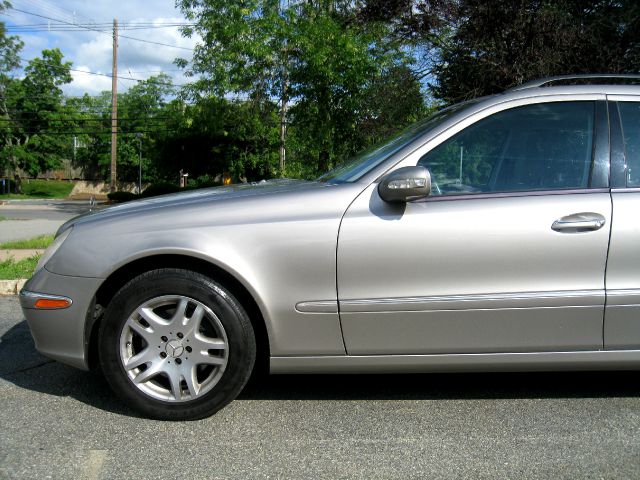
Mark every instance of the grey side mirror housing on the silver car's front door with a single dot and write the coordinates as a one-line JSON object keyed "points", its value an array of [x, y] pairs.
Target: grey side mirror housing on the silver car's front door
{"points": [[405, 184]]}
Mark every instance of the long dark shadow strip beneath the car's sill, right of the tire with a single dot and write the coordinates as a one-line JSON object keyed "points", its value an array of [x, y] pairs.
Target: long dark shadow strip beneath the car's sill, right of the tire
{"points": [[443, 386]]}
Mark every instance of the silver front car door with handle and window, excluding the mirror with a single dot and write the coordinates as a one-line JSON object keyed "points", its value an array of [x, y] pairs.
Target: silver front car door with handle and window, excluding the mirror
{"points": [[508, 253]]}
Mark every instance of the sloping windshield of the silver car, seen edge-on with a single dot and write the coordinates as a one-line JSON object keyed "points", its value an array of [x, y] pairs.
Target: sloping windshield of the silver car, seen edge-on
{"points": [[365, 161]]}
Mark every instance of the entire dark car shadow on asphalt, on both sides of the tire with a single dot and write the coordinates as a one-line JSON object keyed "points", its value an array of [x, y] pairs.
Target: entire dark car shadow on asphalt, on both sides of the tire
{"points": [[23, 366]]}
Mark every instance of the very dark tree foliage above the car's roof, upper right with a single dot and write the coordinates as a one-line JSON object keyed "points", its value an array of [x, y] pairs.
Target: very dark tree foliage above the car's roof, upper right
{"points": [[502, 43]]}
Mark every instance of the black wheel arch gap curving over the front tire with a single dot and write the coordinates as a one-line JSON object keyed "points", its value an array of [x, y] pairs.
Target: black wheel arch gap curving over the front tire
{"points": [[119, 277]]}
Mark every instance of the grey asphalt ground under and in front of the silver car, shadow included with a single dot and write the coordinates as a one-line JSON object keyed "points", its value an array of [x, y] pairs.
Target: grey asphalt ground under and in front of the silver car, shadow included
{"points": [[58, 422]]}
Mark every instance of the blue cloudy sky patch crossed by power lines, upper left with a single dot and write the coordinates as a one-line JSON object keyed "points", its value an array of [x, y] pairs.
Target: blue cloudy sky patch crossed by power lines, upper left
{"points": [[90, 50]]}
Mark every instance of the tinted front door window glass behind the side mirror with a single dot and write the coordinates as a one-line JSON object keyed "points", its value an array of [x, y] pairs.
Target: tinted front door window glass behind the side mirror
{"points": [[547, 146]]}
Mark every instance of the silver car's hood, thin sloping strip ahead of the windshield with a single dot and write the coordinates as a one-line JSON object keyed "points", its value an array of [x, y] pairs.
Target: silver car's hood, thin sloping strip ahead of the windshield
{"points": [[195, 197]]}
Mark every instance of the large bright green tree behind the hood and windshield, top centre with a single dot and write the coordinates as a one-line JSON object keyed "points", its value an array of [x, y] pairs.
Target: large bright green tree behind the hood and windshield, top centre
{"points": [[311, 59]]}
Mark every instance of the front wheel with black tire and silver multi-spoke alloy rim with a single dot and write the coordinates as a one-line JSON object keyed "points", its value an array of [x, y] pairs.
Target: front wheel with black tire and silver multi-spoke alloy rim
{"points": [[175, 345]]}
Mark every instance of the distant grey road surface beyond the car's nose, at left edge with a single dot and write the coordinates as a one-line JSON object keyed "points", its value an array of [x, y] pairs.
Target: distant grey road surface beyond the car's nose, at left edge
{"points": [[31, 218]]}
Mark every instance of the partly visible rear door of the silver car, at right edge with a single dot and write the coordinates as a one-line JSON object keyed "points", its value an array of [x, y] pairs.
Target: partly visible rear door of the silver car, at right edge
{"points": [[622, 314]]}
